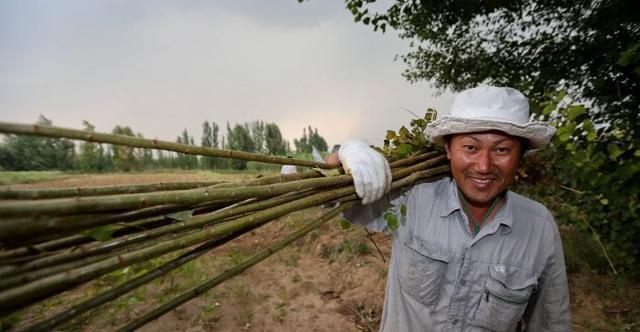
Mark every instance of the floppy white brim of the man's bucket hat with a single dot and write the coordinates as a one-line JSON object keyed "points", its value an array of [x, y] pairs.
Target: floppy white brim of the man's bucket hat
{"points": [[538, 133]]}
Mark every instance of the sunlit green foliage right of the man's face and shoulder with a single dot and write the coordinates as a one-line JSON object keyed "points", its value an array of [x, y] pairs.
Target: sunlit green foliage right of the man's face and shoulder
{"points": [[588, 172]]}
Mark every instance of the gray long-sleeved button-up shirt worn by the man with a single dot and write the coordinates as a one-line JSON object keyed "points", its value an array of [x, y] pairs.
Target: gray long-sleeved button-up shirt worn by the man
{"points": [[441, 278]]}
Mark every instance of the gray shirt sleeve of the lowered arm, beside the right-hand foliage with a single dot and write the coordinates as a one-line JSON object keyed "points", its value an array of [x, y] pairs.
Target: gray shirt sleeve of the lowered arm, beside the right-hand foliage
{"points": [[550, 310]]}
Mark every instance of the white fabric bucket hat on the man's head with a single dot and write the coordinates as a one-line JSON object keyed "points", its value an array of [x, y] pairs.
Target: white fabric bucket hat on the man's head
{"points": [[487, 108]]}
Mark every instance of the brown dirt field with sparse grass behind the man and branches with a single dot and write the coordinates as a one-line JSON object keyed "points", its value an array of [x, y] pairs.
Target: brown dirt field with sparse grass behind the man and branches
{"points": [[333, 279]]}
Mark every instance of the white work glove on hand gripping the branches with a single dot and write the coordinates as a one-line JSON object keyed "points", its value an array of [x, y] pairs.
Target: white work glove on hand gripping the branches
{"points": [[369, 169]]}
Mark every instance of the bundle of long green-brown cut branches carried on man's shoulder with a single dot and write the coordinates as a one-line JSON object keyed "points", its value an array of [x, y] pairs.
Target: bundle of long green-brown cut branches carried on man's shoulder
{"points": [[52, 240]]}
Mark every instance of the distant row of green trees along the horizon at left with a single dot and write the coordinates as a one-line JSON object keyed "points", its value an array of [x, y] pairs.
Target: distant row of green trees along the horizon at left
{"points": [[28, 153]]}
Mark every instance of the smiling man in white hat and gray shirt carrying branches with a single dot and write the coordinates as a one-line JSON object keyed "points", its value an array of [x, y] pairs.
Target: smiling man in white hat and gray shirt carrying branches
{"points": [[470, 255]]}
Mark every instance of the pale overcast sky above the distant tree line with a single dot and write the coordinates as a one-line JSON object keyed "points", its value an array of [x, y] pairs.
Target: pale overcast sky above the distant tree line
{"points": [[162, 66]]}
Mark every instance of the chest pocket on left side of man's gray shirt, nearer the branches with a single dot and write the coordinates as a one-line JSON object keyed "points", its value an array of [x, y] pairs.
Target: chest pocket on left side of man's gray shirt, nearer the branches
{"points": [[421, 269]]}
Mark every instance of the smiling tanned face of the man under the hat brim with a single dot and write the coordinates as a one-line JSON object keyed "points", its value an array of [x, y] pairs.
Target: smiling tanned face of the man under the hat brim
{"points": [[483, 164]]}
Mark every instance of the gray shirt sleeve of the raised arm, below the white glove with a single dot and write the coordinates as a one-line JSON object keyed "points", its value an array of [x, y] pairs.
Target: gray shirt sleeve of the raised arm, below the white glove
{"points": [[371, 215]]}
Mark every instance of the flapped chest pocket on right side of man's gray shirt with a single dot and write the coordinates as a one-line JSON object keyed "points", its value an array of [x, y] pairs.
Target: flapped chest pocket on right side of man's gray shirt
{"points": [[505, 296]]}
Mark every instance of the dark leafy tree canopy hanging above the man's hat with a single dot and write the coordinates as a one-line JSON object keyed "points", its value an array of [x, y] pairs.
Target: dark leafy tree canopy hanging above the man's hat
{"points": [[589, 48]]}
